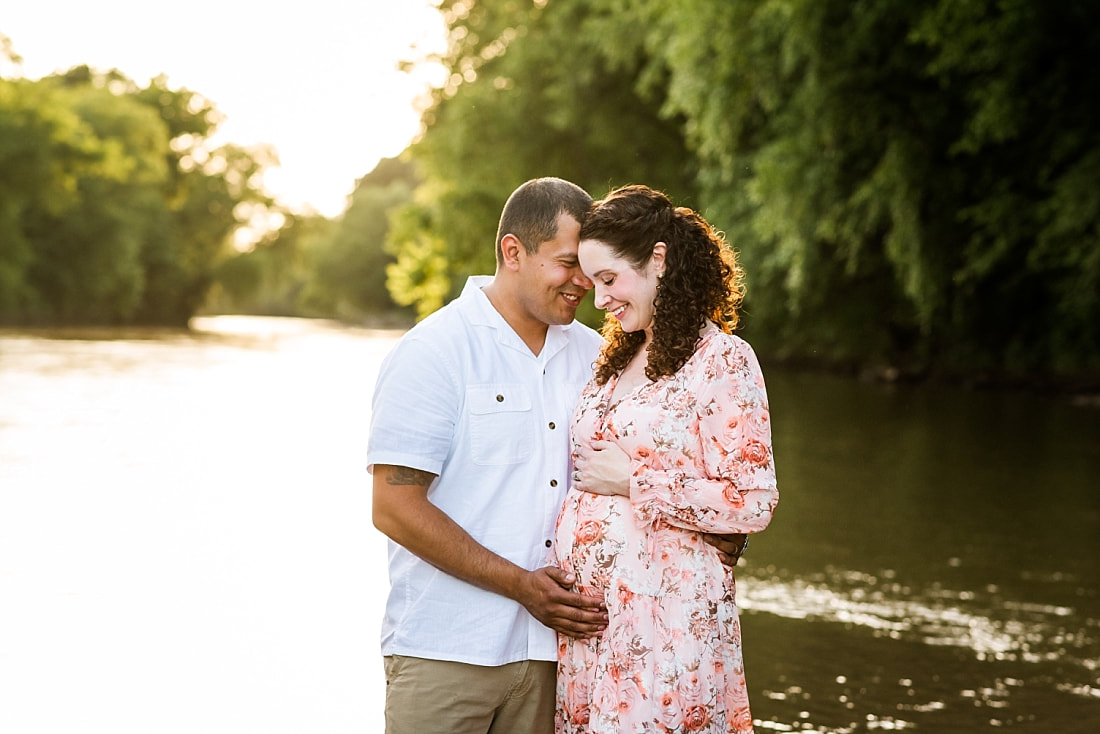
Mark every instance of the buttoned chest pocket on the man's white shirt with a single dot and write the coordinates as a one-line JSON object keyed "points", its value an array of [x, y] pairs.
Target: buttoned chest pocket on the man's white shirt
{"points": [[502, 423]]}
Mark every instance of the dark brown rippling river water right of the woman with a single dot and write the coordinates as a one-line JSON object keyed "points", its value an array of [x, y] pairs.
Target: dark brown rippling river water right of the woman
{"points": [[933, 563]]}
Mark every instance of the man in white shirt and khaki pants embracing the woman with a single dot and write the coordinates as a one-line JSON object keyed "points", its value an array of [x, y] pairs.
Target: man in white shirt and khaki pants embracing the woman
{"points": [[469, 450]]}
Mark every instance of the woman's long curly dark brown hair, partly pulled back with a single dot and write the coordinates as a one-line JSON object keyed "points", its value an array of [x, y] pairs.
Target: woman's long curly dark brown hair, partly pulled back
{"points": [[702, 279]]}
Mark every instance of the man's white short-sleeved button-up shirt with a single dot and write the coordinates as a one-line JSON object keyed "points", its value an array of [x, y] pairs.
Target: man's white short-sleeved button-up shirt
{"points": [[464, 398]]}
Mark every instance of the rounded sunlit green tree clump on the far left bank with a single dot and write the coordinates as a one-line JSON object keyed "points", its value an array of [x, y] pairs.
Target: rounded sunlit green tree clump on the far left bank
{"points": [[114, 207]]}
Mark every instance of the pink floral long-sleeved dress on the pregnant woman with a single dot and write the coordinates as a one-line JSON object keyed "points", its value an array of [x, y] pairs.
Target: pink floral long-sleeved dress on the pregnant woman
{"points": [[700, 447]]}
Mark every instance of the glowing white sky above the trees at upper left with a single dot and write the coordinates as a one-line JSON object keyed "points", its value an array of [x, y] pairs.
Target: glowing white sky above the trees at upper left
{"points": [[318, 81]]}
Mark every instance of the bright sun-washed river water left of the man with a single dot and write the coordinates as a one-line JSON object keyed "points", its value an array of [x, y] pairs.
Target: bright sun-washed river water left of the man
{"points": [[185, 536]]}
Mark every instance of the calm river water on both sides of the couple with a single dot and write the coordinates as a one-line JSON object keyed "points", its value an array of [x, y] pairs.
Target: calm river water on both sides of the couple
{"points": [[186, 545]]}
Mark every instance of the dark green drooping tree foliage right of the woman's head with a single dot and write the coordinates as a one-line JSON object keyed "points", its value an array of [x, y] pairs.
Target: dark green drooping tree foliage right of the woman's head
{"points": [[901, 178]]}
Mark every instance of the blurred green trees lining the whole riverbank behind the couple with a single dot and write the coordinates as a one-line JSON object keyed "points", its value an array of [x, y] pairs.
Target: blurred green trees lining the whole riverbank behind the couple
{"points": [[912, 188]]}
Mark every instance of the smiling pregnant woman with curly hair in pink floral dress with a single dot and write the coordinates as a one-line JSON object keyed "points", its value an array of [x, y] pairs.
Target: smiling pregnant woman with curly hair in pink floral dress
{"points": [[672, 440]]}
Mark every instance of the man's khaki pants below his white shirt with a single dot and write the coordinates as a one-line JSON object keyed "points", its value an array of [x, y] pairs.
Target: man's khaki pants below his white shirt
{"points": [[439, 697]]}
